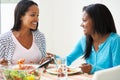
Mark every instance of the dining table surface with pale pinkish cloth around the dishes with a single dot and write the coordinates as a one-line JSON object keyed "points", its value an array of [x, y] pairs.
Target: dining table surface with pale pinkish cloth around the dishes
{"points": [[49, 76]]}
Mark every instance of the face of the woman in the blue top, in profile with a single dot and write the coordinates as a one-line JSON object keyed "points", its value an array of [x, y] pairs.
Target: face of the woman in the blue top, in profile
{"points": [[87, 24]]}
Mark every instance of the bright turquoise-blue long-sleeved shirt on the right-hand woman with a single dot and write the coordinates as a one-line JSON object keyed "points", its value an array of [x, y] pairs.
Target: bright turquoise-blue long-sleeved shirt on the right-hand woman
{"points": [[107, 56]]}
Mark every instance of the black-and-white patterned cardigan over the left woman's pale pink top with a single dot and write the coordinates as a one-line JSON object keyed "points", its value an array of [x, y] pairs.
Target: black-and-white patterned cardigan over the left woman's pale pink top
{"points": [[7, 45]]}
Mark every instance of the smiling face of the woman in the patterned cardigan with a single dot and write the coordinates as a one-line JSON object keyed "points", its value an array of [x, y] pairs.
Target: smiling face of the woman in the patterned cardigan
{"points": [[30, 19]]}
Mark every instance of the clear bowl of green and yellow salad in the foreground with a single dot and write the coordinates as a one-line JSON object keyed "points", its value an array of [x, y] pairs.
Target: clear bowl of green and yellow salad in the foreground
{"points": [[28, 72]]}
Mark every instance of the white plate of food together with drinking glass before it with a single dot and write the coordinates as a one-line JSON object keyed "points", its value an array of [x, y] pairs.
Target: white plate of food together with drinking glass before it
{"points": [[61, 70]]}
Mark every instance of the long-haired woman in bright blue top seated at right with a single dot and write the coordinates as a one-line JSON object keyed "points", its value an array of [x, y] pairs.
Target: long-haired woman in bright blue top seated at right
{"points": [[101, 44]]}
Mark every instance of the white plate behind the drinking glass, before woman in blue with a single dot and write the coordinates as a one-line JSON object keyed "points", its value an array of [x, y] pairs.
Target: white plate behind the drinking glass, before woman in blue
{"points": [[72, 70]]}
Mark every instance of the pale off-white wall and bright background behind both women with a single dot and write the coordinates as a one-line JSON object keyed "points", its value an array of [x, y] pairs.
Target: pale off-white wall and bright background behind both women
{"points": [[59, 20]]}
